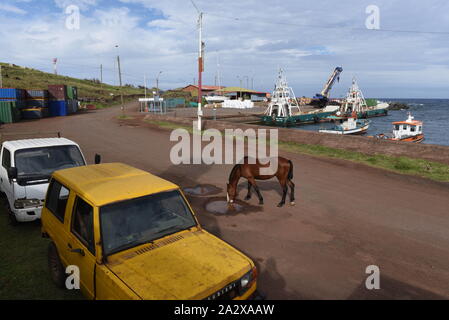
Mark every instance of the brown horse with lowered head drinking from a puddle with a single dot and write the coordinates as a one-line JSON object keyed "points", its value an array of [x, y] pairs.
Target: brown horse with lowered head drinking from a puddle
{"points": [[250, 171]]}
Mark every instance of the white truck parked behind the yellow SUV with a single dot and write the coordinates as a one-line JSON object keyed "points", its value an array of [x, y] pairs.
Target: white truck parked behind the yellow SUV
{"points": [[26, 167]]}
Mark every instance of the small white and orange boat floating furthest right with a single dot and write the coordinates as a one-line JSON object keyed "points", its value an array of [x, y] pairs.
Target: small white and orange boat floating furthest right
{"points": [[409, 130]]}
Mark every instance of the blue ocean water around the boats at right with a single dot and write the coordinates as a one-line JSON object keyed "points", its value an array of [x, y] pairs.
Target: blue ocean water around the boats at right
{"points": [[434, 113]]}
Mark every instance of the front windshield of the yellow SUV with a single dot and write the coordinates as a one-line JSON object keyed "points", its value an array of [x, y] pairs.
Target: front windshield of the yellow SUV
{"points": [[142, 220]]}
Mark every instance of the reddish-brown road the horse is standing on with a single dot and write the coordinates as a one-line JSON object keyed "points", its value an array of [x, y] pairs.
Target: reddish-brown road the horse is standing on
{"points": [[348, 216]]}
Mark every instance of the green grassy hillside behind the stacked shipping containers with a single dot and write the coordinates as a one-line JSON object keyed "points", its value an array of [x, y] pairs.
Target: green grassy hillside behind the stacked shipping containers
{"points": [[27, 78]]}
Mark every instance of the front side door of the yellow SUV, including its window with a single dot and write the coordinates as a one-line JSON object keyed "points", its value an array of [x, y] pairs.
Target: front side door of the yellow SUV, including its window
{"points": [[81, 244]]}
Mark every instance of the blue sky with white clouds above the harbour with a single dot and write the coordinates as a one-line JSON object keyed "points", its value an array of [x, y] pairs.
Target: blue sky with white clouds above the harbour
{"points": [[246, 42]]}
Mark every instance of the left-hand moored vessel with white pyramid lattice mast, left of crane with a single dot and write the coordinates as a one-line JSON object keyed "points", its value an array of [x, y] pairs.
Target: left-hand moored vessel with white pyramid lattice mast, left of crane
{"points": [[284, 110]]}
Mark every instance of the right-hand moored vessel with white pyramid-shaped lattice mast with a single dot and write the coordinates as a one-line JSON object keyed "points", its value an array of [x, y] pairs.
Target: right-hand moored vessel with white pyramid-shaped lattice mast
{"points": [[355, 102]]}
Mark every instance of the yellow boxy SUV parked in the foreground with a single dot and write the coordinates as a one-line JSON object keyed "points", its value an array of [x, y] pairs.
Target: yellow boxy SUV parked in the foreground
{"points": [[133, 235]]}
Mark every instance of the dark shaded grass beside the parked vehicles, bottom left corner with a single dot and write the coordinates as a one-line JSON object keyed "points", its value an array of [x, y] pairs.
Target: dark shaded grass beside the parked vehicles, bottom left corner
{"points": [[24, 271]]}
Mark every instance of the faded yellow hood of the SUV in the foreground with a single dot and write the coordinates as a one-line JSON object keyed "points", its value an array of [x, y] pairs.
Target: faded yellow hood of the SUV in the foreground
{"points": [[188, 265]]}
